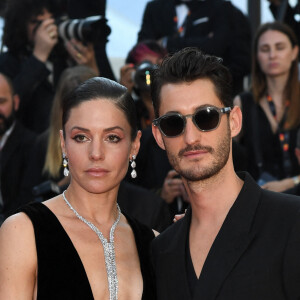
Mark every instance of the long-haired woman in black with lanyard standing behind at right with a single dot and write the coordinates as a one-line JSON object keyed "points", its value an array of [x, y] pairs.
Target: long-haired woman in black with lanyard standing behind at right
{"points": [[271, 110]]}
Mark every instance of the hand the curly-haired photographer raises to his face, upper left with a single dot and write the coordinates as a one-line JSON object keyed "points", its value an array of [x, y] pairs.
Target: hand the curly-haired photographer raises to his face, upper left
{"points": [[45, 39]]}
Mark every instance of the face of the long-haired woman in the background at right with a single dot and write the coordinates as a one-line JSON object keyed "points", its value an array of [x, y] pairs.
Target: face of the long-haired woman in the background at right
{"points": [[275, 53]]}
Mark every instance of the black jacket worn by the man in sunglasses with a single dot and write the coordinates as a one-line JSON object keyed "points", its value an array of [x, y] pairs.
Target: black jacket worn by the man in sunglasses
{"points": [[255, 255]]}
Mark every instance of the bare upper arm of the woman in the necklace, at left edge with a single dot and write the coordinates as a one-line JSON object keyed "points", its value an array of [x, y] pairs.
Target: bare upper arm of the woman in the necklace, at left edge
{"points": [[18, 260]]}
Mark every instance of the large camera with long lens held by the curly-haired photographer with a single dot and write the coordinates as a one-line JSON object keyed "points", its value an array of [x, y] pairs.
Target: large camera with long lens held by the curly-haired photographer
{"points": [[90, 29]]}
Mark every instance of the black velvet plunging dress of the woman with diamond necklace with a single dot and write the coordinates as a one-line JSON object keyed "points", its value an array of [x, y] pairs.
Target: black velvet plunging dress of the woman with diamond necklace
{"points": [[61, 274]]}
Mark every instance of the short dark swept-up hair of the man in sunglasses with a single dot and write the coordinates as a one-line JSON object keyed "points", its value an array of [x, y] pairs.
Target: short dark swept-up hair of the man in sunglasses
{"points": [[189, 65]]}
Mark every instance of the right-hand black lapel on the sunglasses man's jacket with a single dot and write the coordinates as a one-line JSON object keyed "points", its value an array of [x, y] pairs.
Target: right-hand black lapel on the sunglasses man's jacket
{"points": [[231, 242]]}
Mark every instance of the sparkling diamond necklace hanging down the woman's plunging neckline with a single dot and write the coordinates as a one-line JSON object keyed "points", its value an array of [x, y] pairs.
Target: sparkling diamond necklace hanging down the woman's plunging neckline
{"points": [[109, 250]]}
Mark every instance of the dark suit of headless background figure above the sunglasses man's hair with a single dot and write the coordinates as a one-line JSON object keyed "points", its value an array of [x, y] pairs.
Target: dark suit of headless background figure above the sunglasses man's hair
{"points": [[214, 26]]}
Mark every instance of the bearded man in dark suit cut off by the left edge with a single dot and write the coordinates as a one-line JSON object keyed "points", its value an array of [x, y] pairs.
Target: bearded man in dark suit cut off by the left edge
{"points": [[15, 144]]}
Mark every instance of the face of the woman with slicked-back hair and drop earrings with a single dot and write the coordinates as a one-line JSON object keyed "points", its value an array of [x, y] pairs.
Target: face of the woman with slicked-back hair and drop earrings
{"points": [[98, 145]]}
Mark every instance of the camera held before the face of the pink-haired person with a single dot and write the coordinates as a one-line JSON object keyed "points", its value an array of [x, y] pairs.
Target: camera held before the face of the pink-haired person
{"points": [[142, 75]]}
